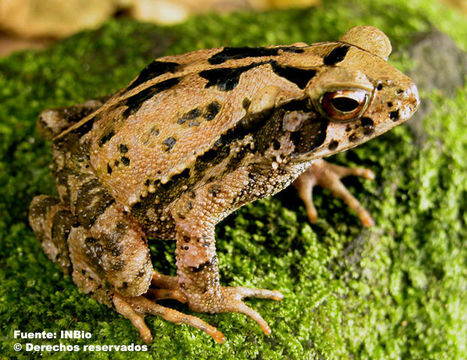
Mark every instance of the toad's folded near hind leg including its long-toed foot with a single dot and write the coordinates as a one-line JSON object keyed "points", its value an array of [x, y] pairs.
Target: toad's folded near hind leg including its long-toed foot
{"points": [[108, 260]]}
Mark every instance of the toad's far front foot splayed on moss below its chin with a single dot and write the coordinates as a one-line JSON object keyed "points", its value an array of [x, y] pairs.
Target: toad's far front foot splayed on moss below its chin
{"points": [[328, 176]]}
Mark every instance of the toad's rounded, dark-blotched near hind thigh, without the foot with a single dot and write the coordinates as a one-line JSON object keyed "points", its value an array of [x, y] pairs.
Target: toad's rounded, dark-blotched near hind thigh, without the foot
{"points": [[111, 254]]}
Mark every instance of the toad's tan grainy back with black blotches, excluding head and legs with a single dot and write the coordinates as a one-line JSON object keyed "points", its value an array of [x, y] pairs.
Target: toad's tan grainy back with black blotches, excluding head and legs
{"points": [[178, 107]]}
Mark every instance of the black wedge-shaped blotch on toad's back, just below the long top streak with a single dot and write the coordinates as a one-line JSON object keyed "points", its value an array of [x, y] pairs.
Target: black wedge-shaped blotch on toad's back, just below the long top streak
{"points": [[226, 79]]}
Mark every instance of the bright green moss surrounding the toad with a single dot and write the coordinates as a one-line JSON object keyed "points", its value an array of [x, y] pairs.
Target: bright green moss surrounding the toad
{"points": [[394, 291]]}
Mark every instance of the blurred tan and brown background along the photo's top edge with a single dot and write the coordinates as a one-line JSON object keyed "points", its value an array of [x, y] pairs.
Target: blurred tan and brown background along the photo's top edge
{"points": [[37, 23]]}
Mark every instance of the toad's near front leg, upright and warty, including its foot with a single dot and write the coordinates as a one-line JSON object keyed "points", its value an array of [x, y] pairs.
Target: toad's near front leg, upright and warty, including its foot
{"points": [[197, 264]]}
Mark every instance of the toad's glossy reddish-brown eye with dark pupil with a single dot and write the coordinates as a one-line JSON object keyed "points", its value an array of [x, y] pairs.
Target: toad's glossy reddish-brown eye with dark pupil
{"points": [[344, 105]]}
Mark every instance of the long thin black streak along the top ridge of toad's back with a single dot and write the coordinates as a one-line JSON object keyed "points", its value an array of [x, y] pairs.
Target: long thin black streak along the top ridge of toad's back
{"points": [[229, 53]]}
